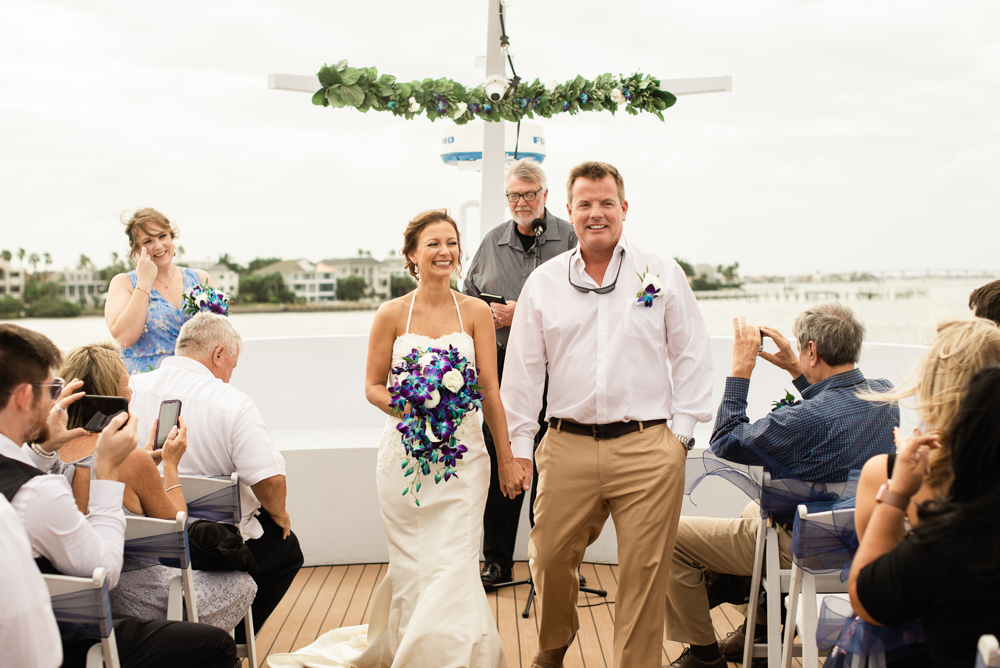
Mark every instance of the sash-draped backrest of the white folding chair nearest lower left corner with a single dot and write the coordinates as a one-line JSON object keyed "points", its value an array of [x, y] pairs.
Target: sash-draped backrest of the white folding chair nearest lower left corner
{"points": [[81, 605]]}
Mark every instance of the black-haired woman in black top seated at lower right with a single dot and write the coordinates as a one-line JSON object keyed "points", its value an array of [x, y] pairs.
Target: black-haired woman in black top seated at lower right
{"points": [[947, 572]]}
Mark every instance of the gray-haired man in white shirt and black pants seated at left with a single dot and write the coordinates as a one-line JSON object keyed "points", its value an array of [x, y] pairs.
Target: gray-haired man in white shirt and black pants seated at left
{"points": [[227, 434]]}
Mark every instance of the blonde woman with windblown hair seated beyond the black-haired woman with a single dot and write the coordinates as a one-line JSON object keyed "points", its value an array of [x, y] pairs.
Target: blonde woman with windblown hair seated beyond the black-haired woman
{"points": [[963, 346]]}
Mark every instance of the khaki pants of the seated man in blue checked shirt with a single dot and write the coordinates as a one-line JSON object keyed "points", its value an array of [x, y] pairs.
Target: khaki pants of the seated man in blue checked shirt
{"points": [[722, 545]]}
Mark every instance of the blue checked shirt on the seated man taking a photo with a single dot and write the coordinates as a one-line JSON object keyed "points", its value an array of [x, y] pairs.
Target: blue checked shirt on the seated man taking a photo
{"points": [[819, 438]]}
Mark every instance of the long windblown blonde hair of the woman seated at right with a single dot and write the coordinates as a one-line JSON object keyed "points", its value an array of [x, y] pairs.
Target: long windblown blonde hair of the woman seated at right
{"points": [[963, 346]]}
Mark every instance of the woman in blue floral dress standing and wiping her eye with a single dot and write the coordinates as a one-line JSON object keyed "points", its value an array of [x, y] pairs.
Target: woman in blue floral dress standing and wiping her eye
{"points": [[145, 309]]}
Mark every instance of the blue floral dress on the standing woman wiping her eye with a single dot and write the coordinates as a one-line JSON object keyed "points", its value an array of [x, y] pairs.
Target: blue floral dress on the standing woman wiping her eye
{"points": [[163, 325]]}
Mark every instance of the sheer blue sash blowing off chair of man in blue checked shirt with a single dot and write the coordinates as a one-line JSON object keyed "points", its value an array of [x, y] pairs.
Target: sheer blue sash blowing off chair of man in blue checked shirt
{"points": [[780, 498]]}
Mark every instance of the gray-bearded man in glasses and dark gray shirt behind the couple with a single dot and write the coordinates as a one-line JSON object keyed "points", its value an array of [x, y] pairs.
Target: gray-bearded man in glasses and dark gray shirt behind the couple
{"points": [[507, 255]]}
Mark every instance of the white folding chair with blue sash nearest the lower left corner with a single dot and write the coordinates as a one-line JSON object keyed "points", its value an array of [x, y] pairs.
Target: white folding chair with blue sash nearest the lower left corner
{"points": [[84, 602]]}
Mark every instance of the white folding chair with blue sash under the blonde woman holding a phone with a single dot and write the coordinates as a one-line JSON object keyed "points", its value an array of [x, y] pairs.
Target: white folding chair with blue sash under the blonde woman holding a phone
{"points": [[159, 541]]}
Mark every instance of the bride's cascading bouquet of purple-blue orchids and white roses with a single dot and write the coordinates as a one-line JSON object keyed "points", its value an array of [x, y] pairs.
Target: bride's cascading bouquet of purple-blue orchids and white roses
{"points": [[440, 387]]}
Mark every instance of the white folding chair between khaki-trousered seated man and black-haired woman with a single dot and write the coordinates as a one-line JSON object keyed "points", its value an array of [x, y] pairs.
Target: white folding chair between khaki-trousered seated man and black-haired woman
{"points": [[806, 589]]}
